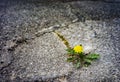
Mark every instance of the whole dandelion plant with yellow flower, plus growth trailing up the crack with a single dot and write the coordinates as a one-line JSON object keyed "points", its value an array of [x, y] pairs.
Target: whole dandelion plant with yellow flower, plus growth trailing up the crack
{"points": [[76, 55]]}
